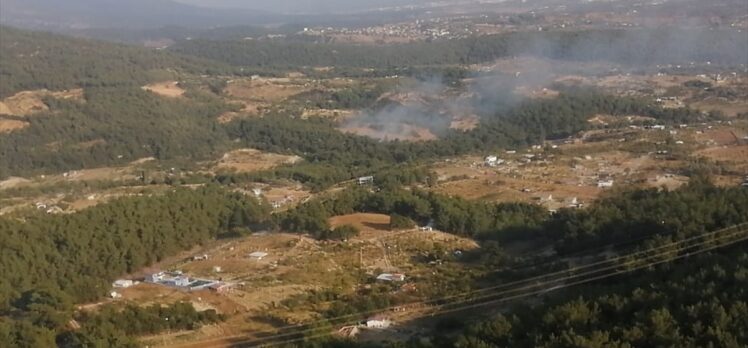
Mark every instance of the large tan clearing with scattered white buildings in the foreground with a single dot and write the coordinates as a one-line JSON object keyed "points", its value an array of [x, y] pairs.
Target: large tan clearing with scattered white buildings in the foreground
{"points": [[294, 265]]}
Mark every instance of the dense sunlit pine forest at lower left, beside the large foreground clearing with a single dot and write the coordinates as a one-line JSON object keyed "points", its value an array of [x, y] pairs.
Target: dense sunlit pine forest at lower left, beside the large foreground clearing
{"points": [[81, 253]]}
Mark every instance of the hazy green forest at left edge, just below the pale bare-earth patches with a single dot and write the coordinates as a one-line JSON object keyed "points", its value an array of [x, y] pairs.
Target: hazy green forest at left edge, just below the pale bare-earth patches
{"points": [[114, 125]]}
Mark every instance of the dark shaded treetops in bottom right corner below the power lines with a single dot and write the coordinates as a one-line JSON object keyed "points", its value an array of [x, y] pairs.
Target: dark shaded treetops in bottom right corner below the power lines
{"points": [[698, 303]]}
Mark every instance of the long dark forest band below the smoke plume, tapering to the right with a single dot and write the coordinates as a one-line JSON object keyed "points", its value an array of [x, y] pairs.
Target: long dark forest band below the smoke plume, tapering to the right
{"points": [[333, 156]]}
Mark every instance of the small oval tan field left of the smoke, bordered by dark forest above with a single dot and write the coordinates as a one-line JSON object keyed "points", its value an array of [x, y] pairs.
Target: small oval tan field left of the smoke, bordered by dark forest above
{"points": [[249, 160]]}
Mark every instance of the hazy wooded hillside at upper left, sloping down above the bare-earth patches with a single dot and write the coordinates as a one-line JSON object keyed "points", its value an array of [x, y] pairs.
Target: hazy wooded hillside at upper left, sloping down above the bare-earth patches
{"points": [[31, 60]]}
